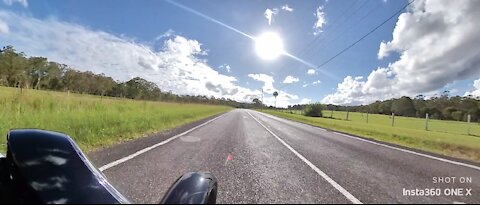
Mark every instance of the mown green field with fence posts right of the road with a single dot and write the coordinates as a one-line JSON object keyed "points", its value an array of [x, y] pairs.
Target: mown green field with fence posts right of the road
{"points": [[448, 138]]}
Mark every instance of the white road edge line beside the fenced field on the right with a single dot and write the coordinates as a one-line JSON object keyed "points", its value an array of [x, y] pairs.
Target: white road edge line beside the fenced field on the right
{"points": [[395, 148]]}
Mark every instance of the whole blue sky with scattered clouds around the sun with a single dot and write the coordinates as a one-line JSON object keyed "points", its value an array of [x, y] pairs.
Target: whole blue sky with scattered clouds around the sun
{"points": [[160, 28]]}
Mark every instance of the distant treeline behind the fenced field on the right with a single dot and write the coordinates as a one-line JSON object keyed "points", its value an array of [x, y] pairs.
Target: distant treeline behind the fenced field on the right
{"points": [[443, 107]]}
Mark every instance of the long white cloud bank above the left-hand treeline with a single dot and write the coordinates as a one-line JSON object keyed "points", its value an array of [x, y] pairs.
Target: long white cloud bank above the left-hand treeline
{"points": [[177, 66]]}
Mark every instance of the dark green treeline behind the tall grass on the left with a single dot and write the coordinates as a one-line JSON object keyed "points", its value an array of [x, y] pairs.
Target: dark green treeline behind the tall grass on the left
{"points": [[17, 70]]}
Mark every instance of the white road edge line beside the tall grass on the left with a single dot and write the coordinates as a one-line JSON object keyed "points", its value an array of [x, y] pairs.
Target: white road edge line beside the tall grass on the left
{"points": [[129, 157]]}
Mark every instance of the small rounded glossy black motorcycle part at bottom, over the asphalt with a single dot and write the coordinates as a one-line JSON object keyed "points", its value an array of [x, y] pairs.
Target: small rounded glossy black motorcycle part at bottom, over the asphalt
{"points": [[192, 188]]}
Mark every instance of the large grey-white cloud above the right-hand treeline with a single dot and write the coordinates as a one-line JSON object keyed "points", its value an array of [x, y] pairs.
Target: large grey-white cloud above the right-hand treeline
{"points": [[437, 46]]}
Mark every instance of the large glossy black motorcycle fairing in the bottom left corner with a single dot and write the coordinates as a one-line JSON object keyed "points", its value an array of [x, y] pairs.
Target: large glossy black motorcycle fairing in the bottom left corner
{"points": [[48, 167]]}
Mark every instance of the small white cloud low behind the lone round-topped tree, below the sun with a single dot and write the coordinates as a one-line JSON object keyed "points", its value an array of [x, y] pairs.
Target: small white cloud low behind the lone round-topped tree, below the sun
{"points": [[283, 100]]}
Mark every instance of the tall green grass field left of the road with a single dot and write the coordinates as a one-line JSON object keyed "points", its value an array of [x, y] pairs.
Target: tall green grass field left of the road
{"points": [[92, 121]]}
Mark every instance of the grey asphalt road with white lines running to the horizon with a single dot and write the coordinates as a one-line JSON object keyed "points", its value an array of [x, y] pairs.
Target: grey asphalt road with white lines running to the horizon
{"points": [[280, 161]]}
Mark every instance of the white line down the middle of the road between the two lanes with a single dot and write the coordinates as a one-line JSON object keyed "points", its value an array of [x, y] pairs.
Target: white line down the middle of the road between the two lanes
{"points": [[311, 165]]}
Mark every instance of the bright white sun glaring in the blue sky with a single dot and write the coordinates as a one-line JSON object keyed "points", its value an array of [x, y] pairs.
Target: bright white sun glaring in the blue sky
{"points": [[269, 45]]}
